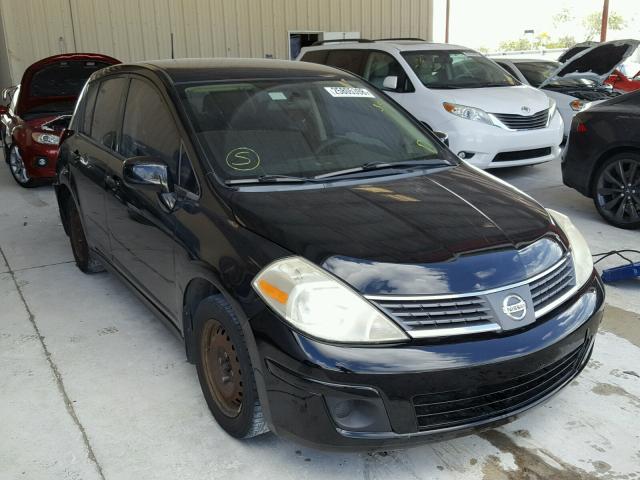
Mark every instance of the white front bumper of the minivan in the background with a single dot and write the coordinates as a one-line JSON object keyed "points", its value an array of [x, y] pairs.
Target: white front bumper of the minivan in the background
{"points": [[493, 147]]}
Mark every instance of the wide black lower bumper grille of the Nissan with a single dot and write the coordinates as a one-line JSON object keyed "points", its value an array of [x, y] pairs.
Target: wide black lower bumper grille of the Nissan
{"points": [[454, 408]]}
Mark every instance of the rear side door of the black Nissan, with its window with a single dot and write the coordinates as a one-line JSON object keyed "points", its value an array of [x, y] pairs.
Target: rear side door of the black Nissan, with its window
{"points": [[90, 151]]}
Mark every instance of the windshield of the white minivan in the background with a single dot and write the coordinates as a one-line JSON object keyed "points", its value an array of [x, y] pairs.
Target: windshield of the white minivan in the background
{"points": [[457, 69]]}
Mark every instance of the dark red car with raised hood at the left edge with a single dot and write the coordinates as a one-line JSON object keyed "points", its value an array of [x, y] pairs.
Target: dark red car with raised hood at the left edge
{"points": [[39, 110]]}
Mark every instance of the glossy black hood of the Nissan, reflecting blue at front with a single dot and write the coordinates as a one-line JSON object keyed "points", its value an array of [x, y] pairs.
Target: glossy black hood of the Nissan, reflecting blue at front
{"points": [[456, 230]]}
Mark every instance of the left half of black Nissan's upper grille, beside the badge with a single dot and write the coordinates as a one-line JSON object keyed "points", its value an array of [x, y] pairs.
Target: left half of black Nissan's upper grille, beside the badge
{"points": [[423, 314]]}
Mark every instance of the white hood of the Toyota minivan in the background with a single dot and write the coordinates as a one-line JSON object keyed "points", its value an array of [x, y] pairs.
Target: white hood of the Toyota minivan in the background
{"points": [[509, 100]]}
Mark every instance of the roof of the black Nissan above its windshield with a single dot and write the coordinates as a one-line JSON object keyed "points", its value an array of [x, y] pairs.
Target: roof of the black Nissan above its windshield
{"points": [[216, 69]]}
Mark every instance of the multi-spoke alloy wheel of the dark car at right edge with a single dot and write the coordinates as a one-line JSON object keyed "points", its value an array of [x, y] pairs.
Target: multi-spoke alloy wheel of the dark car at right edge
{"points": [[617, 190]]}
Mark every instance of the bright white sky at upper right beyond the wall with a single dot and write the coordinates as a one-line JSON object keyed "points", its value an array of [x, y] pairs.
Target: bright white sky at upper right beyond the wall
{"points": [[486, 23]]}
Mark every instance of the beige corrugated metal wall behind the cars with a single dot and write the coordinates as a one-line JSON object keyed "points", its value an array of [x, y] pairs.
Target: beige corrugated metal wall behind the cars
{"points": [[133, 30]]}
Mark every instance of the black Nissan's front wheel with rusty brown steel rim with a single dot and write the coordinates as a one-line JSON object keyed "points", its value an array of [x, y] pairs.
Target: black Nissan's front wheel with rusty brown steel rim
{"points": [[225, 371]]}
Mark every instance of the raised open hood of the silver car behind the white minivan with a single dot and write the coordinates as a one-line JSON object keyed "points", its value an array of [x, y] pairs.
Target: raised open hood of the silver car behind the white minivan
{"points": [[595, 63]]}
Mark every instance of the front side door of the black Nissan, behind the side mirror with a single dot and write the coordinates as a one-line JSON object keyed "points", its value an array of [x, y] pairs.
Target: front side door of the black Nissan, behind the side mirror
{"points": [[140, 226]]}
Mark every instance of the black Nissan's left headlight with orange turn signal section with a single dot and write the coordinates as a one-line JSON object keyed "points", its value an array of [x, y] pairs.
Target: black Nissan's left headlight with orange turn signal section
{"points": [[318, 304]]}
